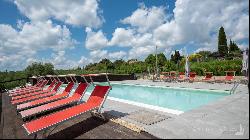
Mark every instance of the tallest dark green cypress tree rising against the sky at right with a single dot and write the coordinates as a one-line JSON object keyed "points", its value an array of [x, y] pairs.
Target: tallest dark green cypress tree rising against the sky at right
{"points": [[222, 43]]}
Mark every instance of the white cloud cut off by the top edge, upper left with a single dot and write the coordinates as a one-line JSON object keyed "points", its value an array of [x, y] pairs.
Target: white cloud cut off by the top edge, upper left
{"points": [[77, 12]]}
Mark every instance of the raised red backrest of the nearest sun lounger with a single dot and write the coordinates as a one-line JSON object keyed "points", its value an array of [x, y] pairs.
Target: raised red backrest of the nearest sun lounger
{"points": [[98, 94]]}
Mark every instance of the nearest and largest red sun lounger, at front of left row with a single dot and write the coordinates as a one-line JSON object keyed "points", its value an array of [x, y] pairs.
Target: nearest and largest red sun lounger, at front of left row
{"points": [[95, 101]]}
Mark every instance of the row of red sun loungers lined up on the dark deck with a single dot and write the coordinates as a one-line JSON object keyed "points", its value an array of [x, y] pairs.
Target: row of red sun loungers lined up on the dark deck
{"points": [[35, 104]]}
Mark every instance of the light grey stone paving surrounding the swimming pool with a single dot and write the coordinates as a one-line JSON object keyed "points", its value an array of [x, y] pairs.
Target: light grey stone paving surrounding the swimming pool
{"points": [[225, 118]]}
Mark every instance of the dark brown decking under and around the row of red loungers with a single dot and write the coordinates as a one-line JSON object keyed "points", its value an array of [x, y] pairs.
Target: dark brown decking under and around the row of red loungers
{"points": [[83, 126]]}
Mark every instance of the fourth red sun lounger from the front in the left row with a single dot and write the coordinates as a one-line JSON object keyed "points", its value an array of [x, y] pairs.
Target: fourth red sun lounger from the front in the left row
{"points": [[41, 95]]}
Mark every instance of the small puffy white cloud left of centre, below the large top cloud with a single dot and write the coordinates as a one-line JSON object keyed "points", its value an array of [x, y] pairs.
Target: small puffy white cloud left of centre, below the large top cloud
{"points": [[95, 40]]}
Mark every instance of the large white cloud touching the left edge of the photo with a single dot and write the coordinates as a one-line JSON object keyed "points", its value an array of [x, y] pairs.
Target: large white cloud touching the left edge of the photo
{"points": [[20, 46]]}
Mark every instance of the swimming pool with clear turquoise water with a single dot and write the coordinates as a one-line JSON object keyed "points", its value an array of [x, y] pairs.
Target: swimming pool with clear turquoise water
{"points": [[163, 97]]}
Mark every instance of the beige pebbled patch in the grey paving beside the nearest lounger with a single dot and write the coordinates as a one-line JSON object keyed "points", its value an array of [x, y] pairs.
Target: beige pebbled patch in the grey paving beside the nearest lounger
{"points": [[146, 117]]}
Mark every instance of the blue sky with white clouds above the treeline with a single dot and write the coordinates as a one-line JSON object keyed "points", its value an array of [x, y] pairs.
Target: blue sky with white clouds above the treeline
{"points": [[72, 33]]}
